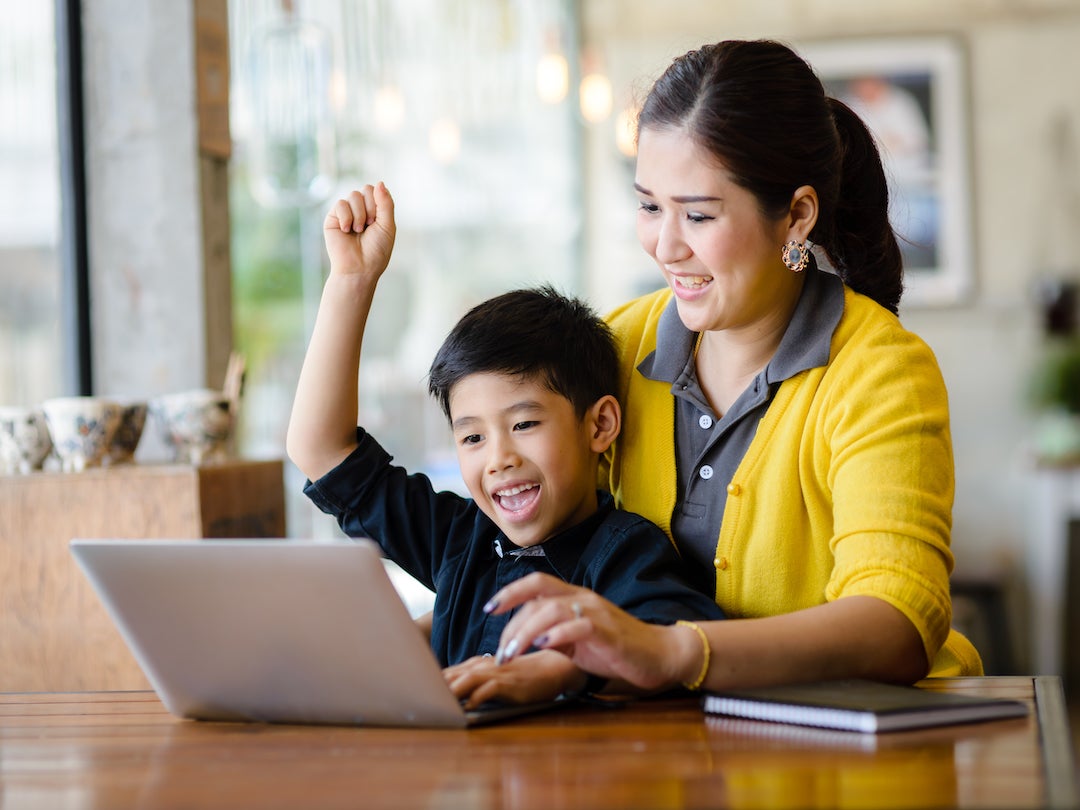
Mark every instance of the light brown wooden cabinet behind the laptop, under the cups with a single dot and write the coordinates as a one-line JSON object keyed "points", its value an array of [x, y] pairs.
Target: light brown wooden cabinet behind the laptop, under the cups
{"points": [[55, 633]]}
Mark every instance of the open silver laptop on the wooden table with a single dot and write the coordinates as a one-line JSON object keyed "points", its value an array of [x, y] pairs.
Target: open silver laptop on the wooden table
{"points": [[275, 631]]}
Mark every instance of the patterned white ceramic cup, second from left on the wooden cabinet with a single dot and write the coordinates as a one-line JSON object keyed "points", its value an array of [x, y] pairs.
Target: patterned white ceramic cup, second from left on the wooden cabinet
{"points": [[82, 429]]}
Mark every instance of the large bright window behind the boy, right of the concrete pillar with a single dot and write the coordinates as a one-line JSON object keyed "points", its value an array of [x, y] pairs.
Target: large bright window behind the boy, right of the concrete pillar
{"points": [[463, 110]]}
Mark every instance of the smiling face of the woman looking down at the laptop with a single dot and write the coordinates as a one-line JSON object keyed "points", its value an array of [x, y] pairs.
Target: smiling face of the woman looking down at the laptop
{"points": [[721, 256]]}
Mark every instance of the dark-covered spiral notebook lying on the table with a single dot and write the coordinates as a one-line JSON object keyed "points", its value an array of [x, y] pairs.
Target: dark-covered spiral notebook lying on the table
{"points": [[860, 706]]}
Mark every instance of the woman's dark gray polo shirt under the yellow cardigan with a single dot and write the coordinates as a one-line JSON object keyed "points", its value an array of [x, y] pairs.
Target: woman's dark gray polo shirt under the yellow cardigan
{"points": [[709, 450]]}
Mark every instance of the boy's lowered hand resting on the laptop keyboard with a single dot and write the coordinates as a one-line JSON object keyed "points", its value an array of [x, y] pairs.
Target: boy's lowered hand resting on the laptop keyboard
{"points": [[537, 677]]}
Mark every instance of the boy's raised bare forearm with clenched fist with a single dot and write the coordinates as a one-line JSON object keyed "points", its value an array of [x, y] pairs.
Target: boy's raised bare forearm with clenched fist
{"points": [[359, 233]]}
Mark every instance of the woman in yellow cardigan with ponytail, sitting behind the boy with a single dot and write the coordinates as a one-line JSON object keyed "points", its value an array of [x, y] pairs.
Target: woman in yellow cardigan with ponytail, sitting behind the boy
{"points": [[781, 425]]}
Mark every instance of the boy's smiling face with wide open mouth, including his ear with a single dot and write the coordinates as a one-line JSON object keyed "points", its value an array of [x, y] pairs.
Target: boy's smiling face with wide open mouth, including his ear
{"points": [[528, 460]]}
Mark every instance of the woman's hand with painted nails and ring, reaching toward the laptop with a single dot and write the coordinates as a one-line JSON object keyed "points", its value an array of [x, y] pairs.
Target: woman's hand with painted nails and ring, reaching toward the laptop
{"points": [[593, 633]]}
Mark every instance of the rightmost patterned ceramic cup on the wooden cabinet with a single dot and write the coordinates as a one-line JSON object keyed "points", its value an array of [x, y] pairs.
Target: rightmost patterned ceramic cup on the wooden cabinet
{"points": [[197, 425]]}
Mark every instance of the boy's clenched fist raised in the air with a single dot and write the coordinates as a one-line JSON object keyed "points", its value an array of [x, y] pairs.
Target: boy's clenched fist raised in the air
{"points": [[360, 232]]}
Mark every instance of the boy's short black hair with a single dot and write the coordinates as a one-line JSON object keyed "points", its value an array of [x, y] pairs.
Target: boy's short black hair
{"points": [[531, 333]]}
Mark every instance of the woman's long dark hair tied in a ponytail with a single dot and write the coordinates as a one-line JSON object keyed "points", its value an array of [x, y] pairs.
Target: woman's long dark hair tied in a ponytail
{"points": [[763, 113]]}
